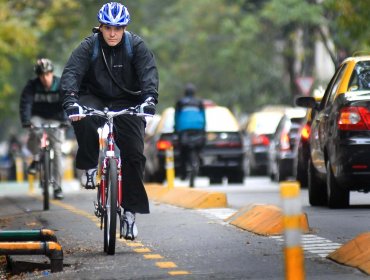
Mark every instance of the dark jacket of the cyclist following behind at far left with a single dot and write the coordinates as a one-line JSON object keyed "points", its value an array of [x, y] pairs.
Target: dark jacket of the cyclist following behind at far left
{"points": [[36, 101]]}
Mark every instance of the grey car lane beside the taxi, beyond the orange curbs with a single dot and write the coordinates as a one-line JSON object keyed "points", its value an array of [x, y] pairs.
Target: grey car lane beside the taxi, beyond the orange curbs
{"points": [[338, 225]]}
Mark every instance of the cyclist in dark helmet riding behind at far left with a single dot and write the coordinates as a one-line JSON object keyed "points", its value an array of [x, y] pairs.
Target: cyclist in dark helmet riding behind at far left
{"points": [[41, 102]]}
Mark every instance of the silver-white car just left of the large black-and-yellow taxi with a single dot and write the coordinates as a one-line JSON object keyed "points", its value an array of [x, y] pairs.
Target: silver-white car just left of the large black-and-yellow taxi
{"points": [[282, 151]]}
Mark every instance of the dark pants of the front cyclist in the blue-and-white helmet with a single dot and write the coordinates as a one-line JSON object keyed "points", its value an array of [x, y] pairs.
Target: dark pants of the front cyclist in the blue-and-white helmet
{"points": [[129, 136]]}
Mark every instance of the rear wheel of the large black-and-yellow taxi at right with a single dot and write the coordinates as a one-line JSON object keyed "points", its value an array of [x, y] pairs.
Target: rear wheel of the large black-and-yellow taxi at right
{"points": [[337, 196]]}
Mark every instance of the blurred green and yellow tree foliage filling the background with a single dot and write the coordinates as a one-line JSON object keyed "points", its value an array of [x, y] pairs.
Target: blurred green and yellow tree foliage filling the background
{"points": [[239, 53]]}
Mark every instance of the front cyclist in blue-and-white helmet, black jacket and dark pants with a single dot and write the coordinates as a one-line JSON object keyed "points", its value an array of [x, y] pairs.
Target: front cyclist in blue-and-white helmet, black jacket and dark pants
{"points": [[112, 79]]}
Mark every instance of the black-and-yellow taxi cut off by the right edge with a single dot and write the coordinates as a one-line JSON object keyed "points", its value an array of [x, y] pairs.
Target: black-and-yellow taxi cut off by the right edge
{"points": [[340, 136]]}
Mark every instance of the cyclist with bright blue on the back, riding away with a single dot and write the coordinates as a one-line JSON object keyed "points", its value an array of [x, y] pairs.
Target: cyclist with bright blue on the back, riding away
{"points": [[190, 125]]}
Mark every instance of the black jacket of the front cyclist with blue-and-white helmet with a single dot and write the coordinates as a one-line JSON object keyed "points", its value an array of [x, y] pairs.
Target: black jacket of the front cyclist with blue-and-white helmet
{"points": [[83, 76]]}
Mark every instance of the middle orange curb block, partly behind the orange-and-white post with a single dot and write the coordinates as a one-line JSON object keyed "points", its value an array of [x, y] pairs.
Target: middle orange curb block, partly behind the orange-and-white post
{"points": [[263, 219]]}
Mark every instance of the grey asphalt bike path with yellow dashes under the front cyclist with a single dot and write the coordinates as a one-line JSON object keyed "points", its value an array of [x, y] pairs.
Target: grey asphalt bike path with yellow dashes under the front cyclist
{"points": [[201, 247]]}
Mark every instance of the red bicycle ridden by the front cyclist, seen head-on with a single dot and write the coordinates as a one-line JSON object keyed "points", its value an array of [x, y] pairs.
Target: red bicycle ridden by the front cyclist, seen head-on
{"points": [[109, 189]]}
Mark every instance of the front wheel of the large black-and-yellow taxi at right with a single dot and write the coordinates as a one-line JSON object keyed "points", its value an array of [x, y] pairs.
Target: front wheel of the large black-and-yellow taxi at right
{"points": [[316, 188]]}
